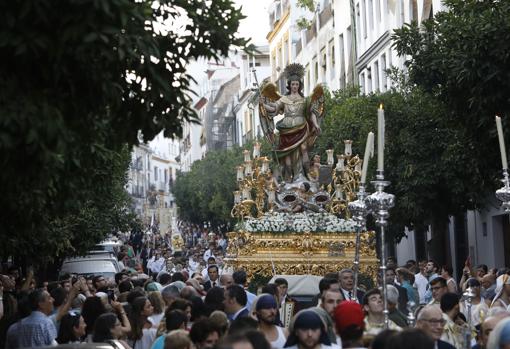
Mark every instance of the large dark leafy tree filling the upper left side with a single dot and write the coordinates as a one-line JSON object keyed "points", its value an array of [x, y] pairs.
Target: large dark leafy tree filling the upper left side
{"points": [[78, 80]]}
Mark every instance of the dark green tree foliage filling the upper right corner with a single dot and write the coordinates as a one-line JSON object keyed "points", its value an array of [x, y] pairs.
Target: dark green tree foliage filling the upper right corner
{"points": [[461, 56]]}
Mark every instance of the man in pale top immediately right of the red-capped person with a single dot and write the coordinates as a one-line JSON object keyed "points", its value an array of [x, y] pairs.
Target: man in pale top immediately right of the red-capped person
{"points": [[374, 320]]}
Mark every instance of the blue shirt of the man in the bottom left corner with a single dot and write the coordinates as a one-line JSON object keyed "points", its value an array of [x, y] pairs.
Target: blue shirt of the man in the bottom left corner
{"points": [[36, 330]]}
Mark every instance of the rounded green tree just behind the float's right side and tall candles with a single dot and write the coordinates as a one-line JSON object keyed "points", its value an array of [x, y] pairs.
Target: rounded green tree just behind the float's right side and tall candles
{"points": [[424, 157]]}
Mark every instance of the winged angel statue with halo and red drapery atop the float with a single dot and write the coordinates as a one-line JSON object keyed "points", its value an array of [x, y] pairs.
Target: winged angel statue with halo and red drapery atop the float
{"points": [[299, 127]]}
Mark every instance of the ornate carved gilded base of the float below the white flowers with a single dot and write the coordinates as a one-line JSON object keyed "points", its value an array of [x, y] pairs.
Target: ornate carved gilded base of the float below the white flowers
{"points": [[267, 253]]}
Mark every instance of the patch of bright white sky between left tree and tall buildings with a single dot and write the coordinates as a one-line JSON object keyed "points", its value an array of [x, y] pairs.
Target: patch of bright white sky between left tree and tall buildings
{"points": [[256, 23]]}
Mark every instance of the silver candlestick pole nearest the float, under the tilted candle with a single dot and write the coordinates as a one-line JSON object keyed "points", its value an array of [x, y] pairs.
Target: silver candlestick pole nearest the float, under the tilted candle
{"points": [[359, 211]]}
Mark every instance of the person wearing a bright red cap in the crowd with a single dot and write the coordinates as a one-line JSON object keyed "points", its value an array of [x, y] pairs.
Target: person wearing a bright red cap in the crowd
{"points": [[350, 324]]}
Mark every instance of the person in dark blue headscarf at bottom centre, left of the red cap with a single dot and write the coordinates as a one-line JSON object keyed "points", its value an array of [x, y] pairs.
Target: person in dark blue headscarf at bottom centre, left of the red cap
{"points": [[307, 331]]}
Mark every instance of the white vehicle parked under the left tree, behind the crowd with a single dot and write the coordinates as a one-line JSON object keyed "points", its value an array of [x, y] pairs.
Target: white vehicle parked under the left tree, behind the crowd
{"points": [[101, 264]]}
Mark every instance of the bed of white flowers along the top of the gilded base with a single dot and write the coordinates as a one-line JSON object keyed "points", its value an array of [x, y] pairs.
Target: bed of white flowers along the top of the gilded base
{"points": [[298, 222]]}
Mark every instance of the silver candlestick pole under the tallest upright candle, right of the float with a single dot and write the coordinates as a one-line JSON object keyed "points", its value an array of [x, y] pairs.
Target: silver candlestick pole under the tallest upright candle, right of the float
{"points": [[380, 202]]}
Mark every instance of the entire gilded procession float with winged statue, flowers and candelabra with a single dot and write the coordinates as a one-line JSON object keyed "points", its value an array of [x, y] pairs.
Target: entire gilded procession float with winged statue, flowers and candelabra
{"points": [[296, 215]]}
